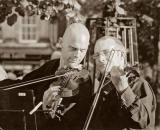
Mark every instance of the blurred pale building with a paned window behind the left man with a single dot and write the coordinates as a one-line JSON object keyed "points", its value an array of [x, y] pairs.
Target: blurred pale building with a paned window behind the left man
{"points": [[28, 43]]}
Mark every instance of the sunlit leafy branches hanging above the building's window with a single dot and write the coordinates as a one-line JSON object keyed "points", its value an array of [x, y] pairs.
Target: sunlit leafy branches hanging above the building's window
{"points": [[47, 9]]}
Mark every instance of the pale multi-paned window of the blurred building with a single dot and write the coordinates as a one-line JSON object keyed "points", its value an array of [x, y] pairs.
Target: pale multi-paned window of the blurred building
{"points": [[28, 29]]}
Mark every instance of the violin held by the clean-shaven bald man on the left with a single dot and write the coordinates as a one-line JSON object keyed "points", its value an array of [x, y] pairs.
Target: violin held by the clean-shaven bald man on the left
{"points": [[67, 89]]}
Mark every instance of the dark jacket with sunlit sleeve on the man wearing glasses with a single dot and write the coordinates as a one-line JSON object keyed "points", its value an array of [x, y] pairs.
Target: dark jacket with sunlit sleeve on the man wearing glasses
{"points": [[132, 110]]}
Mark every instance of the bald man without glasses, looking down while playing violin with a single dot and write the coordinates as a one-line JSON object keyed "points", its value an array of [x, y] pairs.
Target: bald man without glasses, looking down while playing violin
{"points": [[75, 43]]}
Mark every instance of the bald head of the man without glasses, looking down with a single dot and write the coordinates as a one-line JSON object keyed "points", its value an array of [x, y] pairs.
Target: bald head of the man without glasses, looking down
{"points": [[74, 45]]}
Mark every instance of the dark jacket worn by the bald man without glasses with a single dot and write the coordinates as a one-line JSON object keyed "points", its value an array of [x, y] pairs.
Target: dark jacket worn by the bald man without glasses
{"points": [[75, 117]]}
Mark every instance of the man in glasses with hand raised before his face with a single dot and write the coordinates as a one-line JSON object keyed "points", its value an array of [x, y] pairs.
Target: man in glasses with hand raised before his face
{"points": [[128, 102]]}
